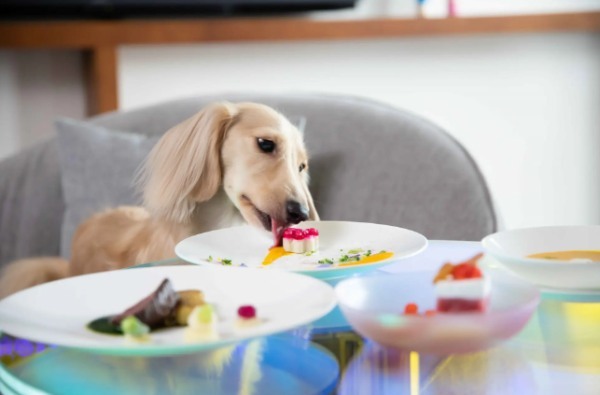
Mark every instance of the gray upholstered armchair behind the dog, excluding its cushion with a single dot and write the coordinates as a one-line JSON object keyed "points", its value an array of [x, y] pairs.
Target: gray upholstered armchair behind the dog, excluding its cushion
{"points": [[369, 162]]}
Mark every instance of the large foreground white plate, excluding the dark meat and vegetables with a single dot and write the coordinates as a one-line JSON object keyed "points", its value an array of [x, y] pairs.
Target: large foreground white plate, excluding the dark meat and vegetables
{"points": [[58, 312]]}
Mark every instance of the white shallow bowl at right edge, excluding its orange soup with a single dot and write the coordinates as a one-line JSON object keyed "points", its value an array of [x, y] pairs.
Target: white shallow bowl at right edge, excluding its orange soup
{"points": [[511, 247]]}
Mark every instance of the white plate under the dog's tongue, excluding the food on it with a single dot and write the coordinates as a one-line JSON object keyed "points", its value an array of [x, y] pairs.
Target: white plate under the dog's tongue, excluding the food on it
{"points": [[249, 246]]}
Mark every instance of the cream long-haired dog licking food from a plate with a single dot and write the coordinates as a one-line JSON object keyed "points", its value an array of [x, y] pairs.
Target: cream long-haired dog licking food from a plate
{"points": [[226, 165]]}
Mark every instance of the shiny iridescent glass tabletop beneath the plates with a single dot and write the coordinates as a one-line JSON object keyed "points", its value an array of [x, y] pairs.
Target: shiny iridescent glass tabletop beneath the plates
{"points": [[558, 352]]}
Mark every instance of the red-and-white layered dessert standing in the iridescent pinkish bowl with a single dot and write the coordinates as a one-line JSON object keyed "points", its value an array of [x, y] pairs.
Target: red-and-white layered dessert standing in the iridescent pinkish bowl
{"points": [[461, 287]]}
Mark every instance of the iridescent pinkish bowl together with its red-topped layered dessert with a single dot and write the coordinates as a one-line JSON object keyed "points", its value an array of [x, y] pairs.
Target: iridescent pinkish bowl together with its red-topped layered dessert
{"points": [[408, 311]]}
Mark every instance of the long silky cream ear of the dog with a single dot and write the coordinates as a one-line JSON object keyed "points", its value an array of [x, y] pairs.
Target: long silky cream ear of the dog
{"points": [[184, 168]]}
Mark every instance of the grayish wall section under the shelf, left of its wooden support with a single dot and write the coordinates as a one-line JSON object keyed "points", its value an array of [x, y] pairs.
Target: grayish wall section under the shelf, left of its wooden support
{"points": [[36, 87]]}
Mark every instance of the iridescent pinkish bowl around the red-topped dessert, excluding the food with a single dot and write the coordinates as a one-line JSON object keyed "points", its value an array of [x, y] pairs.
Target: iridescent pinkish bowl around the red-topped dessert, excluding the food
{"points": [[374, 307]]}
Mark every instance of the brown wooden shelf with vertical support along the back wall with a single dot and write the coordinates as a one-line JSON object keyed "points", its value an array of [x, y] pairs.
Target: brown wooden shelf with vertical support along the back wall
{"points": [[100, 39]]}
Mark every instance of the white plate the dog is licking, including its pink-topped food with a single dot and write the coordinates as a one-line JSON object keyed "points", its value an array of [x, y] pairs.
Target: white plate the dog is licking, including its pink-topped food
{"points": [[325, 249]]}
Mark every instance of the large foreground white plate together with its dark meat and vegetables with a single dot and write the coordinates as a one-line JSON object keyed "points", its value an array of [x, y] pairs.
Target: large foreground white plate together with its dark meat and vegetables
{"points": [[62, 312]]}
